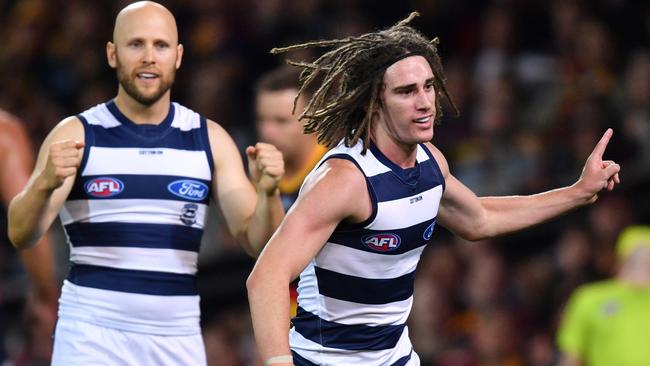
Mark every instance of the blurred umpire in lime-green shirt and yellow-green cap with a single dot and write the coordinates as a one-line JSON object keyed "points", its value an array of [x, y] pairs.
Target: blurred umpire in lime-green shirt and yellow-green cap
{"points": [[608, 323]]}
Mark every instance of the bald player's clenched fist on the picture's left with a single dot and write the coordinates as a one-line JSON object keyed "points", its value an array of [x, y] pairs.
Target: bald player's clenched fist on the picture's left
{"points": [[62, 162]]}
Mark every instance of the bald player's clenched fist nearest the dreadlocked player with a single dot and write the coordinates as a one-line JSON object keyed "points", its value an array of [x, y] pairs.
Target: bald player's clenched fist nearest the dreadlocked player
{"points": [[266, 166]]}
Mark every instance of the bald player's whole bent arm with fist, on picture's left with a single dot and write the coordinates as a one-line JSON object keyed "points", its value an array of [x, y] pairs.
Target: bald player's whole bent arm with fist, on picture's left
{"points": [[32, 211]]}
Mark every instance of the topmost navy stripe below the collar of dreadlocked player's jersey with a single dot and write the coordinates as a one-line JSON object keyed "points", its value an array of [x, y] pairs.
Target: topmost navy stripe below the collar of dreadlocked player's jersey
{"points": [[390, 187]]}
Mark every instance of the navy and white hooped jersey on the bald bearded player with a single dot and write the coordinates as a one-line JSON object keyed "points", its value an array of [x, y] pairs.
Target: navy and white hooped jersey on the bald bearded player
{"points": [[134, 221]]}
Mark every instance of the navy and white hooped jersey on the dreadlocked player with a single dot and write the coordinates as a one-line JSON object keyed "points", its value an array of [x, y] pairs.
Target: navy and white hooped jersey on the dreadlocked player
{"points": [[354, 297]]}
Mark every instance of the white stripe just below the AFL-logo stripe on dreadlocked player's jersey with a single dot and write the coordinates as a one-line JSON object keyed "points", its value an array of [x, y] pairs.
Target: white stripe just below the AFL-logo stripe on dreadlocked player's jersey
{"points": [[365, 264]]}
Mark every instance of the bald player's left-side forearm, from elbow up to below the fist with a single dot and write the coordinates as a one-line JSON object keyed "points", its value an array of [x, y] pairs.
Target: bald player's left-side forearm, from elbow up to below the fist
{"points": [[26, 212]]}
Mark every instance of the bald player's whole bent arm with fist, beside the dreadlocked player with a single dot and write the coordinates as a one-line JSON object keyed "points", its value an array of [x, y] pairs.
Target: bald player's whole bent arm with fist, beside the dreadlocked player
{"points": [[252, 213]]}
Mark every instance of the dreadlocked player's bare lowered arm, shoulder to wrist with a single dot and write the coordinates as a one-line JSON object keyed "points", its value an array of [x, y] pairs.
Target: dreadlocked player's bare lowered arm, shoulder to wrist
{"points": [[335, 192]]}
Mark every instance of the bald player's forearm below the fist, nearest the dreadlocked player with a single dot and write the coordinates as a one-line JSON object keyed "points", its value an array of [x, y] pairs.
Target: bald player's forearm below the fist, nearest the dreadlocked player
{"points": [[266, 218]]}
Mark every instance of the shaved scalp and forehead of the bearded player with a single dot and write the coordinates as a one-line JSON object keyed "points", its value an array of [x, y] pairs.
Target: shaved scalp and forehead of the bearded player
{"points": [[145, 16]]}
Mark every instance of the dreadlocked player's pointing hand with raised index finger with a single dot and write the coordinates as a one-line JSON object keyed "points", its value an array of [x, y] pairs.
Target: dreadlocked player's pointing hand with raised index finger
{"points": [[599, 174]]}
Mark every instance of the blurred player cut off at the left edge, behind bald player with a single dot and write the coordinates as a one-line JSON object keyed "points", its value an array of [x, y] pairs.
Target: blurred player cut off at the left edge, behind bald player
{"points": [[16, 163]]}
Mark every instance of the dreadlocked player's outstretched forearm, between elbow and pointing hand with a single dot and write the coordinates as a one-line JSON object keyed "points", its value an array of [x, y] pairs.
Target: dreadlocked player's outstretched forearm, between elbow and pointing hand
{"points": [[513, 213]]}
